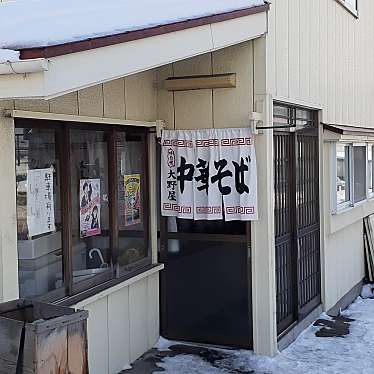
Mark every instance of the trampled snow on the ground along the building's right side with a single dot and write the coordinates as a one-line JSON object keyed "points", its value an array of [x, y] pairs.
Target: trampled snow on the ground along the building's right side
{"points": [[353, 354]]}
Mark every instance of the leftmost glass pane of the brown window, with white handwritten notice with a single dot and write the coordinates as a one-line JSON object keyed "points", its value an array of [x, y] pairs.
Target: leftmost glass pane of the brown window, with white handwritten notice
{"points": [[39, 223]]}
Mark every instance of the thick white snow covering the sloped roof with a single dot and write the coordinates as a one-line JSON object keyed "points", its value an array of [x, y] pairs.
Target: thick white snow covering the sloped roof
{"points": [[42, 23]]}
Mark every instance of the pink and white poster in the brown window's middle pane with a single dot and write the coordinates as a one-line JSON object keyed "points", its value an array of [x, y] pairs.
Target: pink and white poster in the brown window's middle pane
{"points": [[89, 197]]}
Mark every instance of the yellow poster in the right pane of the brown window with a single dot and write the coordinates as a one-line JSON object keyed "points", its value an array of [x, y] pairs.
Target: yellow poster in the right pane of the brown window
{"points": [[132, 199]]}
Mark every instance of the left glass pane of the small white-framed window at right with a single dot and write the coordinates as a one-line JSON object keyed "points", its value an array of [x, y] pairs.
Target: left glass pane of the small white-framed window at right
{"points": [[342, 173]]}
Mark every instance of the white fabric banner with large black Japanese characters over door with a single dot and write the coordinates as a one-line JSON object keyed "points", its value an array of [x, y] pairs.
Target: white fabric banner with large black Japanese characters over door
{"points": [[209, 174]]}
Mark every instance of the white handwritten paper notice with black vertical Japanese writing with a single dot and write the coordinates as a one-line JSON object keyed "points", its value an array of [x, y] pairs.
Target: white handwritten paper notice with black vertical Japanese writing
{"points": [[40, 204]]}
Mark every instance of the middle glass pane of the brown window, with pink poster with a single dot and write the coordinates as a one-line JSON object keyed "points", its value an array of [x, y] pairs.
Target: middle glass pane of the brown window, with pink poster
{"points": [[90, 231]]}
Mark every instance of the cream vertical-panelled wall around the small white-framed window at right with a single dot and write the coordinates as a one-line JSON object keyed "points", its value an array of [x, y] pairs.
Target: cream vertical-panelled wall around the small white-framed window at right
{"points": [[320, 56]]}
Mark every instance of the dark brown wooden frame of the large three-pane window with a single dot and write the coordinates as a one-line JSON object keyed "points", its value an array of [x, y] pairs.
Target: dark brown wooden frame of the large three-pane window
{"points": [[62, 139]]}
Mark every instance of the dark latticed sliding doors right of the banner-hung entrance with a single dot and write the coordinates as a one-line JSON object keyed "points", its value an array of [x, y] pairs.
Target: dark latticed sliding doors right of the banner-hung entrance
{"points": [[296, 215]]}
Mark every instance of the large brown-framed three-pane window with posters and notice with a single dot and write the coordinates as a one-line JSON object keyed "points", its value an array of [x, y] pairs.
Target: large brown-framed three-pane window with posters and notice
{"points": [[94, 182]]}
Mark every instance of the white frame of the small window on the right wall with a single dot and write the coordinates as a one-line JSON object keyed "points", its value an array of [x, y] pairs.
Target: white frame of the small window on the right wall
{"points": [[335, 207]]}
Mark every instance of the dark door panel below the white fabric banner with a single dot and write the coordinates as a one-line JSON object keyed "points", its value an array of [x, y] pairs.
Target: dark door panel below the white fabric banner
{"points": [[206, 284]]}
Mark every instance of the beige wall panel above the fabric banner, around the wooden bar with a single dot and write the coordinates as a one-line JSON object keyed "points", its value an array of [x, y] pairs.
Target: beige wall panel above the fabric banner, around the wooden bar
{"points": [[218, 108]]}
